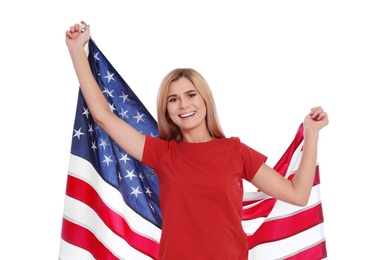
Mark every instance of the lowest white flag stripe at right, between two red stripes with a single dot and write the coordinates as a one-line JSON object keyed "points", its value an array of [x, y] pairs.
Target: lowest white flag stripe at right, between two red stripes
{"points": [[289, 246]]}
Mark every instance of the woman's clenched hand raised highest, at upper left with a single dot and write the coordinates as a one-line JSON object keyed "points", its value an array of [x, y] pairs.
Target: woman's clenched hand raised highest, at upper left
{"points": [[77, 38]]}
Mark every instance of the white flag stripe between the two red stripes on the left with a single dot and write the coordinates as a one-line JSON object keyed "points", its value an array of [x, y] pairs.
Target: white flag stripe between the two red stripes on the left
{"points": [[81, 214]]}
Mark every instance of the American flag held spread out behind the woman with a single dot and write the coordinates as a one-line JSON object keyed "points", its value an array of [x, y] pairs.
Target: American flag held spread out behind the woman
{"points": [[111, 208]]}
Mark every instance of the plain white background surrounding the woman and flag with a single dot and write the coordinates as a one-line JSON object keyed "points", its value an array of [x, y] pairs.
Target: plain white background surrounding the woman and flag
{"points": [[268, 63]]}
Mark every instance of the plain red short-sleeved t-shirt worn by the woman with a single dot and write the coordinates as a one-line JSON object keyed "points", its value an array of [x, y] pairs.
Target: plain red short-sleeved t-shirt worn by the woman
{"points": [[201, 194]]}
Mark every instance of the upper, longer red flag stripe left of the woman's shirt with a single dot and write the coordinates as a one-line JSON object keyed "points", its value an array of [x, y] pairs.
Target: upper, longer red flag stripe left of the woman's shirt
{"points": [[80, 190]]}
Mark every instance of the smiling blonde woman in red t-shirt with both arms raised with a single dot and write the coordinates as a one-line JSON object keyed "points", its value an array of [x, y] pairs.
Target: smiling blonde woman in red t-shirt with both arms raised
{"points": [[200, 170]]}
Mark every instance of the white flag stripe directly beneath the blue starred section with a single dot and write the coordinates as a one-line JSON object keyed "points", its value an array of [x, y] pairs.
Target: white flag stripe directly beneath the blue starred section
{"points": [[82, 169]]}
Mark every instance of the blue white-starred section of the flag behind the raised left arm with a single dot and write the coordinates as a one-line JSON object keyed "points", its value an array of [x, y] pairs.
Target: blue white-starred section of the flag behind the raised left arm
{"points": [[135, 181]]}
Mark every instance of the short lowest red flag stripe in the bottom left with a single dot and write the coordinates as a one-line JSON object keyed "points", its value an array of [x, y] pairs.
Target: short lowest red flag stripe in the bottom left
{"points": [[82, 237]]}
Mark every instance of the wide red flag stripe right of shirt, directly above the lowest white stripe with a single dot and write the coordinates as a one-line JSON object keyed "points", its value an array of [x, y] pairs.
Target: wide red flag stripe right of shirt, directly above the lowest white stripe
{"points": [[277, 229]]}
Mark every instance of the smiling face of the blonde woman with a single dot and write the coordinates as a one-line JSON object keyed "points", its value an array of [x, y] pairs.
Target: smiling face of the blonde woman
{"points": [[186, 107]]}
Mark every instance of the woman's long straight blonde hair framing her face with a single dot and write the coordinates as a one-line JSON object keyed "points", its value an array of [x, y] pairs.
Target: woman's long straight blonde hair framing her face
{"points": [[167, 129]]}
